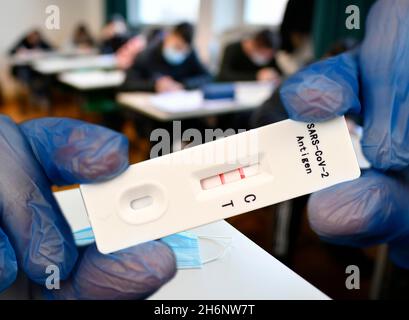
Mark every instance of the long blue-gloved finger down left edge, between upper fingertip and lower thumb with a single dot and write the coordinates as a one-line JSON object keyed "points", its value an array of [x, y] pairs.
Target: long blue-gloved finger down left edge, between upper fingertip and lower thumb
{"points": [[29, 214]]}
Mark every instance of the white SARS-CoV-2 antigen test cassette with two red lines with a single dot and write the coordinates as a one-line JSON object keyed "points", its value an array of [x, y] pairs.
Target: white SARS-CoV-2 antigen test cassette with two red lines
{"points": [[217, 180]]}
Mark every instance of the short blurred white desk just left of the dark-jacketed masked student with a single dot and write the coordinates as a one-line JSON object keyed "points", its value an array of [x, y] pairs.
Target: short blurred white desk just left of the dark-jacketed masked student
{"points": [[94, 79]]}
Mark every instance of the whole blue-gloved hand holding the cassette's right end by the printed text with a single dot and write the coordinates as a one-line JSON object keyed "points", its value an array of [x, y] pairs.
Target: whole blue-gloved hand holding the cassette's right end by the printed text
{"points": [[374, 80]]}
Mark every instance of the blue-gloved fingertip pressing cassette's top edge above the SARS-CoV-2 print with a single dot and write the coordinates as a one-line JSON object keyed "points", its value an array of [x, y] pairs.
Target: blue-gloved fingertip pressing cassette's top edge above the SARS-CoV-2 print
{"points": [[324, 90]]}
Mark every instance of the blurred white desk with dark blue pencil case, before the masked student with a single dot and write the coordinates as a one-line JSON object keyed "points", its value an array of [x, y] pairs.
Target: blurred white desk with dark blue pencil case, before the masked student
{"points": [[190, 104]]}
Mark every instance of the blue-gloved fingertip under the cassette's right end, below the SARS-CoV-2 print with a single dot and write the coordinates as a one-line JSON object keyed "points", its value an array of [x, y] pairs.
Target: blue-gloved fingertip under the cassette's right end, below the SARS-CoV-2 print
{"points": [[370, 210]]}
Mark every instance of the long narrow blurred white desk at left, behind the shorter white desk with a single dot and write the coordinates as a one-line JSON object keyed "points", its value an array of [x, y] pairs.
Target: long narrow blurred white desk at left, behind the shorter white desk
{"points": [[62, 64]]}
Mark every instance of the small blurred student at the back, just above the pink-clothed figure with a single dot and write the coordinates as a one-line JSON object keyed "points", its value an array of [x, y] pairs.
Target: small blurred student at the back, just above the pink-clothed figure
{"points": [[114, 35]]}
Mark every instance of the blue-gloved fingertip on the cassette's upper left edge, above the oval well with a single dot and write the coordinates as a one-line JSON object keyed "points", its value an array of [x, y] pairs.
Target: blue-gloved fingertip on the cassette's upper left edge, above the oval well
{"points": [[72, 151]]}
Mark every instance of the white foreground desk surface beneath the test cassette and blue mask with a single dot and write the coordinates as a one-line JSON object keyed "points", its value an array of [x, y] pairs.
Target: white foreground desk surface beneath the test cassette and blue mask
{"points": [[245, 272]]}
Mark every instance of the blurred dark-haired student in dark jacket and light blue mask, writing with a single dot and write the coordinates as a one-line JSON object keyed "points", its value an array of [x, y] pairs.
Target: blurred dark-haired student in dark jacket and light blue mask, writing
{"points": [[168, 64]]}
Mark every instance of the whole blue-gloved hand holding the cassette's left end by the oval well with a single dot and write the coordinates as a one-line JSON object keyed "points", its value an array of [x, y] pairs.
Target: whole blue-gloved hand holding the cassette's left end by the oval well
{"points": [[33, 232]]}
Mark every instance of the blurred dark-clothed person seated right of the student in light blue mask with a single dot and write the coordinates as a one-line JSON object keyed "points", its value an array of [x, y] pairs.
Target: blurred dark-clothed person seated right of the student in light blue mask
{"points": [[252, 59]]}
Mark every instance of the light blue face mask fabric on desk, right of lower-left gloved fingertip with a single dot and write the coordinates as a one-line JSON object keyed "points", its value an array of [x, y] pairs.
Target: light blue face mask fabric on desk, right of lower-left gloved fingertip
{"points": [[185, 246]]}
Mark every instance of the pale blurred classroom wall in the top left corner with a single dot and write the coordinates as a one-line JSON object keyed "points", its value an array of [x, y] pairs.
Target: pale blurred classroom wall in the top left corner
{"points": [[19, 16]]}
